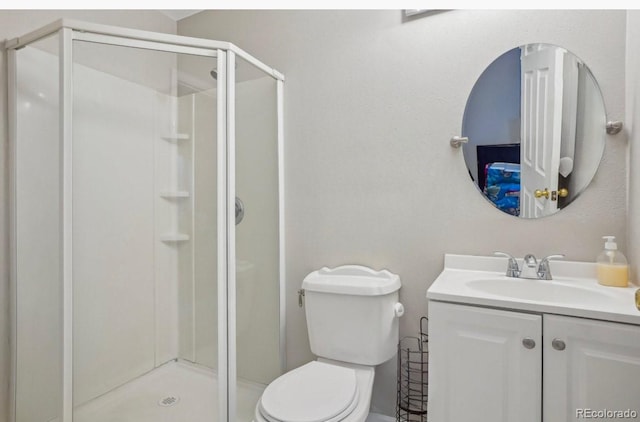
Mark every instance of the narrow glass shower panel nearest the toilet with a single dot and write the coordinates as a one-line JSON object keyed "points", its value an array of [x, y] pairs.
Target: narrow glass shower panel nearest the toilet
{"points": [[257, 236]]}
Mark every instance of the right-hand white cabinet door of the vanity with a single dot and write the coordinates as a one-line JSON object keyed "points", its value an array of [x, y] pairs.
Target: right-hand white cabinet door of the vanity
{"points": [[598, 369]]}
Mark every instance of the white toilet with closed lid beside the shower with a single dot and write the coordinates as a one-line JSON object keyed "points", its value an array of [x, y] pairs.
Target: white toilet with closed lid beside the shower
{"points": [[352, 316]]}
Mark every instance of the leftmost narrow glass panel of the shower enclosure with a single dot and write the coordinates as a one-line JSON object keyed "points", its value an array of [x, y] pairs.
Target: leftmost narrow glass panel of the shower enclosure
{"points": [[37, 270]]}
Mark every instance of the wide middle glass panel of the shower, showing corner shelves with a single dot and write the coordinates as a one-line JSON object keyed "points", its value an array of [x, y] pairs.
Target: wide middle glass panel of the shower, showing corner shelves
{"points": [[144, 233]]}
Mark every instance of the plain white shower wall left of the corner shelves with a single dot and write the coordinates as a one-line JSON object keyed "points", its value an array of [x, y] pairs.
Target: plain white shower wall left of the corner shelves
{"points": [[125, 315]]}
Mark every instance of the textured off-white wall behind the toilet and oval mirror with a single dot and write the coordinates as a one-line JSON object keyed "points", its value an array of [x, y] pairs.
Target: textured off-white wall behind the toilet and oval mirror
{"points": [[370, 105]]}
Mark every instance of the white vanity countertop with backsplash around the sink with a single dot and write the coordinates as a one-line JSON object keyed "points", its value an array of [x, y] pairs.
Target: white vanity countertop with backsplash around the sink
{"points": [[592, 300]]}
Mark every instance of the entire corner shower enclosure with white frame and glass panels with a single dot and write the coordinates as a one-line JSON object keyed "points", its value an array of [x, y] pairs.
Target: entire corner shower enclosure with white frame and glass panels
{"points": [[137, 293]]}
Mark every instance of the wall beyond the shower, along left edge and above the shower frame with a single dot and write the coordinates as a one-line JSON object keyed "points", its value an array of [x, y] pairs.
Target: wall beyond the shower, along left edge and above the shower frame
{"points": [[14, 23]]}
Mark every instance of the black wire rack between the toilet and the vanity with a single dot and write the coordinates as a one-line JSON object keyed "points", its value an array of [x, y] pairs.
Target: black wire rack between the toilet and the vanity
{"points": [[413, 374]]}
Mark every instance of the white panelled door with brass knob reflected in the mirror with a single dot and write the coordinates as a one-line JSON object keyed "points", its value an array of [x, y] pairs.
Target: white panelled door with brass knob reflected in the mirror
{"points": [[541, 112]]}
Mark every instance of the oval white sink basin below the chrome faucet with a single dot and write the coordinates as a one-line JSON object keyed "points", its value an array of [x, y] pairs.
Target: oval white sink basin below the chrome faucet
{"points": [[537, 290]]}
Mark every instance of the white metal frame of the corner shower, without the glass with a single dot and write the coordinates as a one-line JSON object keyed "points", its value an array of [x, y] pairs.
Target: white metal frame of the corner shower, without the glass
{"points": [[226, 53]]}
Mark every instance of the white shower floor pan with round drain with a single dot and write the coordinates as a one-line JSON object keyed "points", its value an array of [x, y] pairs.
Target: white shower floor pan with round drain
{"points": [[173, 392]]}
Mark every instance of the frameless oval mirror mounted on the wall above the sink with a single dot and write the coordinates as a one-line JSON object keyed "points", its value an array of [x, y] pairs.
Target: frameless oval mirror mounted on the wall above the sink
{"points": [[536, 125]]}
